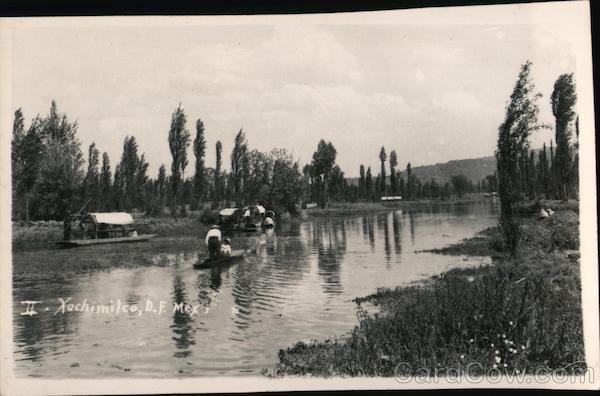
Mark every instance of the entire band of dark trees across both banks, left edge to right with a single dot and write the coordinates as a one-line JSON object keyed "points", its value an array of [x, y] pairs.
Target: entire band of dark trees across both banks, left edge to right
{"points": [[50, 177]]}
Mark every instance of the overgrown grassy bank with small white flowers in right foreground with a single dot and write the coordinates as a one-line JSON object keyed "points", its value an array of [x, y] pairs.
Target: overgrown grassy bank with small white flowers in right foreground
{"points": [[517, 315]]}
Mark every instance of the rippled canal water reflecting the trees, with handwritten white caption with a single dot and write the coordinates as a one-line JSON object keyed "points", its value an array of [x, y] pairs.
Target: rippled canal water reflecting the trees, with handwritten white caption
{"points": [[295, 284]]}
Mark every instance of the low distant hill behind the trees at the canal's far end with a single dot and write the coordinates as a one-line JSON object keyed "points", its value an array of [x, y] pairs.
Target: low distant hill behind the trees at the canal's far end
{"points": [[474, 169]]}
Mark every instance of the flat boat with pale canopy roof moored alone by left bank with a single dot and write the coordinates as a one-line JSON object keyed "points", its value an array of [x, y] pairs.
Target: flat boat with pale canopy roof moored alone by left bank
{"points": [[102, 228]]}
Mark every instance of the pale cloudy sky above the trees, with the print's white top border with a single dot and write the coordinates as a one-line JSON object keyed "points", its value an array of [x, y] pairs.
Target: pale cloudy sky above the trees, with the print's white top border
{"points": [[431, 84]]}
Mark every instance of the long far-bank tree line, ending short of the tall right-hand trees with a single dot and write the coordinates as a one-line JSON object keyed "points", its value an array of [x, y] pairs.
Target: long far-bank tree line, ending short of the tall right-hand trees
{"points": [[52, 177]]}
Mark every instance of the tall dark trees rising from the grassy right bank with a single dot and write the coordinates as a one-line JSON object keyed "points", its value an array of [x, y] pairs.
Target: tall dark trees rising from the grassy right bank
{"points": [[519, 176]]}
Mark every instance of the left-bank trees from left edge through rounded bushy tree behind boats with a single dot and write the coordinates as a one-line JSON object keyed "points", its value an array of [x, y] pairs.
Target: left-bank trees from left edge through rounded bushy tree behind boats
{"points": [[50, 179]]}
